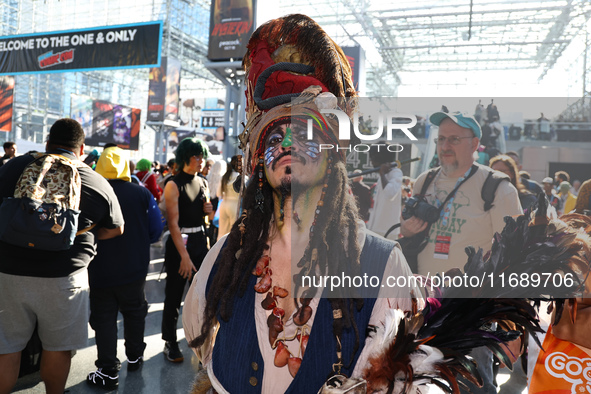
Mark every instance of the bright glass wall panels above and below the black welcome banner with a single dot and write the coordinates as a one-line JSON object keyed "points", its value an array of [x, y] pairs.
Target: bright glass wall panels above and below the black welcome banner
{"points": [[188, 18]]}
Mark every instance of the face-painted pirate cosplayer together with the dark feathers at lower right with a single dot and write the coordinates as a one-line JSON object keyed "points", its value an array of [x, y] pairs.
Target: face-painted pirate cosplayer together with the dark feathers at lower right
{"points": [[257, 327]]}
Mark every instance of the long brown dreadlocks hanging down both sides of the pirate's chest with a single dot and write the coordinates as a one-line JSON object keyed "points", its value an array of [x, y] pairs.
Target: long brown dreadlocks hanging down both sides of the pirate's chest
{"points": [[336, 226]]}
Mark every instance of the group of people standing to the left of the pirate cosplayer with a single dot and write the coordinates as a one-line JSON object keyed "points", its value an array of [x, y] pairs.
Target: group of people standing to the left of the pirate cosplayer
{"points": [[108, 261]]}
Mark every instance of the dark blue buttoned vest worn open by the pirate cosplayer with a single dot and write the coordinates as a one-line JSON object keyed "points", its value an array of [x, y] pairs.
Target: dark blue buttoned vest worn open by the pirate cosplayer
{"points": [[237, 361]]}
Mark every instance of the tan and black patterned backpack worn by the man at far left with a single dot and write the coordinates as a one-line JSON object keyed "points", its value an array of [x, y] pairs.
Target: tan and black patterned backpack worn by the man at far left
{"points": [[43, 214]]}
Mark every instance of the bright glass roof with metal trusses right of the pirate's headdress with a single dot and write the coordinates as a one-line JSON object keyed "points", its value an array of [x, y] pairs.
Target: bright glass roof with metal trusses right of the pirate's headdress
{"points": [[413, 37]]}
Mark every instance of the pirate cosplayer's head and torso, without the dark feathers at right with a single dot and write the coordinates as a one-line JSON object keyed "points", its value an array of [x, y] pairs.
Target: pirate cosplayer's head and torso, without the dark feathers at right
{"points": [[250, 320]]}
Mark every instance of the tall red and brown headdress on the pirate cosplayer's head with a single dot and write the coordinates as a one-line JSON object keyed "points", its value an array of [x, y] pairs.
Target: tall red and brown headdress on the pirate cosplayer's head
{"points": [[285, 58]]}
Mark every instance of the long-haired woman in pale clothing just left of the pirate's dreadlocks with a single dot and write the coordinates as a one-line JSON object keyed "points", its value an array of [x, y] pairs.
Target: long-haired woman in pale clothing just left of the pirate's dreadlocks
{"points": [[228, 208]]}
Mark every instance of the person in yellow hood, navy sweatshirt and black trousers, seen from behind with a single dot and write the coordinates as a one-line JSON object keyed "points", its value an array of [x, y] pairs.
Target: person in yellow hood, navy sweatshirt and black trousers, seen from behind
{"points": [[117, 275]]}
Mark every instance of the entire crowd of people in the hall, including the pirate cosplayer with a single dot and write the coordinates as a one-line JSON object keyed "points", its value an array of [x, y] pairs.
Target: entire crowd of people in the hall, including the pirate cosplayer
{"points": [[254, 314]]}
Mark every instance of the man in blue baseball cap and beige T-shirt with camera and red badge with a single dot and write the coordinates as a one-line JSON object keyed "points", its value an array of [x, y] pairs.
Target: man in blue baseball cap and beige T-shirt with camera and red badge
{"points": [[456, 189]]}
